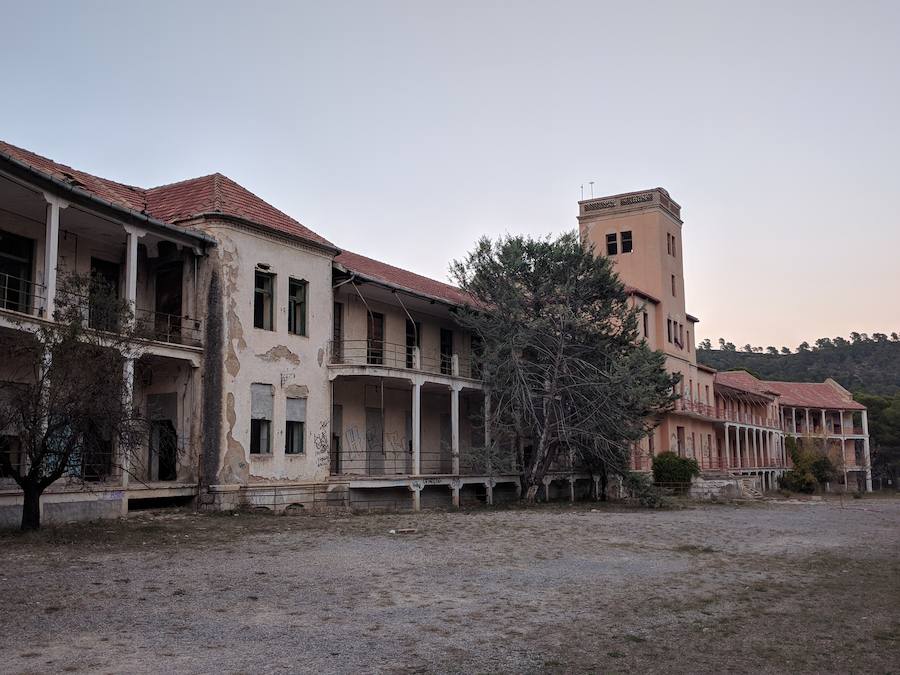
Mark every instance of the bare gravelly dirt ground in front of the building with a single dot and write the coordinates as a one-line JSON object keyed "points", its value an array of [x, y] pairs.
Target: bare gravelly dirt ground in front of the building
{"points": [[770, 587]]}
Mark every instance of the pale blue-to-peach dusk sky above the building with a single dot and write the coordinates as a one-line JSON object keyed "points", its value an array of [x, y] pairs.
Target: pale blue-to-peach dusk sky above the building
{"points": [[405, 130]]}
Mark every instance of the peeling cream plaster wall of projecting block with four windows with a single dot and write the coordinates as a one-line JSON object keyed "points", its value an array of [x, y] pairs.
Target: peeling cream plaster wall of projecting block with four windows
{"points": [[293, 365]]}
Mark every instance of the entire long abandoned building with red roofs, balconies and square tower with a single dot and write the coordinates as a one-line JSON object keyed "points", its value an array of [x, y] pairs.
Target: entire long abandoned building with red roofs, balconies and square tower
{"points": [[281, 371]]}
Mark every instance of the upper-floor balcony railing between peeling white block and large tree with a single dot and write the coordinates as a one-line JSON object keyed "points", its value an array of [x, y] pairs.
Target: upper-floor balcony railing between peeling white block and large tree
{"points": [[394, 355]]}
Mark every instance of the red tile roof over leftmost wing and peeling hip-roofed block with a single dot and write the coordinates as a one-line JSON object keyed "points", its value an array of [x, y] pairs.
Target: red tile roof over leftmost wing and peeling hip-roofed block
{"points": [[176, 202]]}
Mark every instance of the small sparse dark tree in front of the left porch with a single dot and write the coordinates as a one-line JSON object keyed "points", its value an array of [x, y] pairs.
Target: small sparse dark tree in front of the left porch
{"points": [[63, 411]]}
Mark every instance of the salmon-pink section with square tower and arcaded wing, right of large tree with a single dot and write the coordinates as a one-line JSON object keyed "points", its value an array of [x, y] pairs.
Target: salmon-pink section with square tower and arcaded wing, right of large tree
{"points": [[730, 422]]}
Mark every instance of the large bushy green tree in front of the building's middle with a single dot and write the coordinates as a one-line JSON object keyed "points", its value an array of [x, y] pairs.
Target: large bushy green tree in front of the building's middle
{"points": [[569, 376]]}
